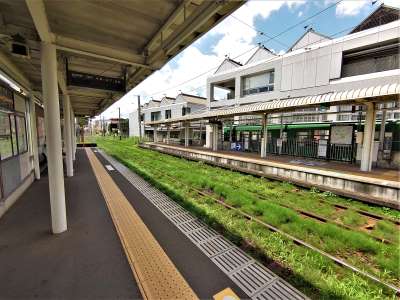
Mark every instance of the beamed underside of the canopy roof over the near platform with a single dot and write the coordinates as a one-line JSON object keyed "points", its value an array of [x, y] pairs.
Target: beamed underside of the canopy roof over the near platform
{"points": [[124, 40]]}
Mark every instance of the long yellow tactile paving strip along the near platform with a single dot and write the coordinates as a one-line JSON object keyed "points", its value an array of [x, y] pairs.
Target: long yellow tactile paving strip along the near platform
{"points": [[156, 275]]}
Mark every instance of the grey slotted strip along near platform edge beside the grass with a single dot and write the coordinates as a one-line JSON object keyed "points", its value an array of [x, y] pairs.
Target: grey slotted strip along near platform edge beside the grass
{"points": [[252, 277]]}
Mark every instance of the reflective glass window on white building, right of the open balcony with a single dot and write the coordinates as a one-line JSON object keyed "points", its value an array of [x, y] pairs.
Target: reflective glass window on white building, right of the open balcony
{"points": [[259, 83]]}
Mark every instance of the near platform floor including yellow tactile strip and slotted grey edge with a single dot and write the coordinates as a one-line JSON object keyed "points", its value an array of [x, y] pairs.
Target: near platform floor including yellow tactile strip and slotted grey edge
{"points": [[119, 245]]}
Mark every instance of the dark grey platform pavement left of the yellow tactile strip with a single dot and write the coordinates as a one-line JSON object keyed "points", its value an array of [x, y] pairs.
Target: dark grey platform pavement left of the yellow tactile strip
{"points": [[86, 262]]}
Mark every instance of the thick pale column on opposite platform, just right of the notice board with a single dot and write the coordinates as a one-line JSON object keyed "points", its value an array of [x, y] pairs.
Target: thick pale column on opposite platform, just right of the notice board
{"points": [[368, 138]]}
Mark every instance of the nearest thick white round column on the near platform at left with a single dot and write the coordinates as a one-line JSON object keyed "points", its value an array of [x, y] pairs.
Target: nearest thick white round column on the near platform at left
{"points": [[53, 137]]}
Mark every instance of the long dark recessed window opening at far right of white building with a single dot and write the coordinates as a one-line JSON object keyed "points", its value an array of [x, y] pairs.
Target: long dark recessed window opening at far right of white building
{"points": [[375, 58]]}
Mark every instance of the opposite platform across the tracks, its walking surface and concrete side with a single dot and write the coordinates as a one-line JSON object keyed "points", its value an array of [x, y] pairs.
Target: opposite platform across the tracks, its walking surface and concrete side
{"points": [[379, 186]]}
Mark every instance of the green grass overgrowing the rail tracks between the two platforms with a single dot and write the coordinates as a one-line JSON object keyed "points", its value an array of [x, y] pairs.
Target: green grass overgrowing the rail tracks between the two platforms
{"points": [[317, 276]]}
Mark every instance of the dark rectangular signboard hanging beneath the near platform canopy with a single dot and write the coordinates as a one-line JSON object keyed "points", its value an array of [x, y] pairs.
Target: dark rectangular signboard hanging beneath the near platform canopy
{"points": [[95, 81]]}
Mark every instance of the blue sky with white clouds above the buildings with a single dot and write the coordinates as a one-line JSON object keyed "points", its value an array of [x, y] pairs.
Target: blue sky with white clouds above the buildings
{"points": [[237, 34]]}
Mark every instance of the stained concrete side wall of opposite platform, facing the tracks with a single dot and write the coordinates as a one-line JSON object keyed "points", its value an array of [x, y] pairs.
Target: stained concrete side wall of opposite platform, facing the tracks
{"points": [[366, 189]]}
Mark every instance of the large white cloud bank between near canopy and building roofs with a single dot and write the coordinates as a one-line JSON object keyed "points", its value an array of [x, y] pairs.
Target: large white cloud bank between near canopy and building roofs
{"points": [[236, 38]]}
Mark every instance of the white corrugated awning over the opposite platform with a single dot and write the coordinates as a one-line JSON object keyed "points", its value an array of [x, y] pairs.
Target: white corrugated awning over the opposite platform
{"points": [[290, 104]]}
